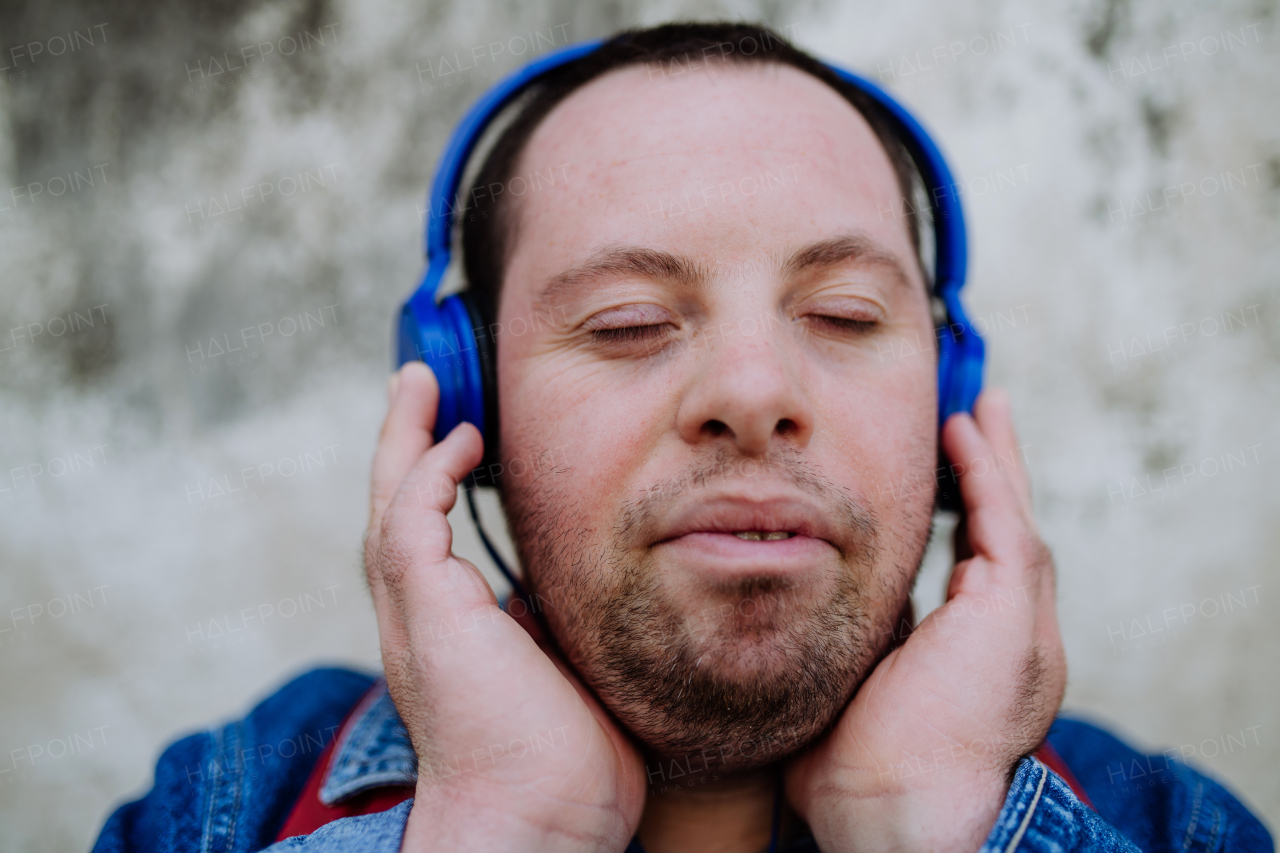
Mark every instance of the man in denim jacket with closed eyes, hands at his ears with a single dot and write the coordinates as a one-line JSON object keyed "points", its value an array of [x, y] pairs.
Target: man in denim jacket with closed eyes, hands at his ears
{"points": [[721, 491]]}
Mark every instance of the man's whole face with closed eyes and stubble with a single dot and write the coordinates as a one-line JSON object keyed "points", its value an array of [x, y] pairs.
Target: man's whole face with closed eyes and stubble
{"points": [[702, 377]]}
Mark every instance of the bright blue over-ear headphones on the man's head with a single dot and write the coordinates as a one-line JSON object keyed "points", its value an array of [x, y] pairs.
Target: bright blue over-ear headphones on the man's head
{"points": [[451, 337]]}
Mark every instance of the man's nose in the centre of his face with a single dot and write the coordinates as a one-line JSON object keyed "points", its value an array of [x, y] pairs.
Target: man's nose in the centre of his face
{"points": [[747, 390]]}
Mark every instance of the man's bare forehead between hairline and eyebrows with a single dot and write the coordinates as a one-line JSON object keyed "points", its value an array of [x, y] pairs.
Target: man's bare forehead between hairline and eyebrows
{"points": [[730, 165]]}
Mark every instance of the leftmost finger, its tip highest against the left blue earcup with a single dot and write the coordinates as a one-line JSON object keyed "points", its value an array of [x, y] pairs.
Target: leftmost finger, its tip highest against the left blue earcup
{"points": [[406, 434]]}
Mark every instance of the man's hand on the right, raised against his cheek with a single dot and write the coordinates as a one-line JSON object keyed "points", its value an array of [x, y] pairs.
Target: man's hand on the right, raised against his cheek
{"points": [[924, 756]]}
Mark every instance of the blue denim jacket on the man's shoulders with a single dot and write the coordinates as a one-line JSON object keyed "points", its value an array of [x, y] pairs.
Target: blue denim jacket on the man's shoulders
{"points": [[231, 790]]}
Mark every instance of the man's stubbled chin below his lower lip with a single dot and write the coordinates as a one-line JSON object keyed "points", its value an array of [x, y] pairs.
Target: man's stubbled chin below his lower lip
{"points": [[748, 686]]}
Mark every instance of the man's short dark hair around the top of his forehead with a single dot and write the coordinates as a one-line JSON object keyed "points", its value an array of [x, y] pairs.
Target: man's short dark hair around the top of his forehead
{"points": [[487, 222]]}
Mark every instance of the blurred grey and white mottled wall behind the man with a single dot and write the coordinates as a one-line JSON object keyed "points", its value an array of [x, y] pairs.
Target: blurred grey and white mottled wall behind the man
{"points": [[1121, 162]]}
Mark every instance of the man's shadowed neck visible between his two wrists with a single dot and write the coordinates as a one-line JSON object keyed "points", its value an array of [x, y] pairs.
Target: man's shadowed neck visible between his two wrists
{"points": [[711, 813]]}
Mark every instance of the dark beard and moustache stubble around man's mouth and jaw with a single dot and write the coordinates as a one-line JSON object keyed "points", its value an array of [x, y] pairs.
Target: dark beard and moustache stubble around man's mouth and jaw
{"points": [[757, 686]]}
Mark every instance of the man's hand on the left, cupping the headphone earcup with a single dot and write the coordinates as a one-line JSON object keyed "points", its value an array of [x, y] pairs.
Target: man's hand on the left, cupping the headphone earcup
{"points": [[514, 752]]}
